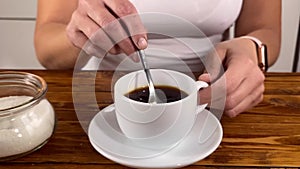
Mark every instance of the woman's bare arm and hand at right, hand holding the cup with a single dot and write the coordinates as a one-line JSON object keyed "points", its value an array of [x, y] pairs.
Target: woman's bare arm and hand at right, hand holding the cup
{"points": [[244, 79]]}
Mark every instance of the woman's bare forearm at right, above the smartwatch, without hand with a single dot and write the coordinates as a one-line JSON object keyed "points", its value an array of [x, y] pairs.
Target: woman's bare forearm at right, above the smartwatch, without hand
{"points": [[265, 19]]}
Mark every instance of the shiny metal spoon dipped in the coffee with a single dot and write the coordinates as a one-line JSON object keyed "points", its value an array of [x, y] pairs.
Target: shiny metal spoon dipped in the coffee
{"points": [[152, 94]]}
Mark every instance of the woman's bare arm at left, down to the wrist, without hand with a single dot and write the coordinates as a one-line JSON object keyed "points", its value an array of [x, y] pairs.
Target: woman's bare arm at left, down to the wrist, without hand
{"points": [[53, 48]]}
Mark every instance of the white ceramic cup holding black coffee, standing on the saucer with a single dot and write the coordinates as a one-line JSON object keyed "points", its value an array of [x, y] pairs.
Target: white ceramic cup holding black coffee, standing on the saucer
{"points": [[157, 125]]}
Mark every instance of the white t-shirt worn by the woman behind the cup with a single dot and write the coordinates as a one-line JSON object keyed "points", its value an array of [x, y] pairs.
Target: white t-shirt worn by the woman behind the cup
{"points": [[190, 29]]}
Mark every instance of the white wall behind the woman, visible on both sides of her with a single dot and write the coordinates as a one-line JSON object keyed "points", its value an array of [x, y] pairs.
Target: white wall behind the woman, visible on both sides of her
{"points": [[17, 27]]}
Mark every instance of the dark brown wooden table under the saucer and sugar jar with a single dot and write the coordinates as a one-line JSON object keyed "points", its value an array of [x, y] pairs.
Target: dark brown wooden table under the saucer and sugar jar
{"points": [[266, 136]]}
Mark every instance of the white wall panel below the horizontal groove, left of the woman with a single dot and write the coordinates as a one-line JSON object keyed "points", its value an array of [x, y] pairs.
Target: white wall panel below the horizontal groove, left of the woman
{"points": [[16, 45]]}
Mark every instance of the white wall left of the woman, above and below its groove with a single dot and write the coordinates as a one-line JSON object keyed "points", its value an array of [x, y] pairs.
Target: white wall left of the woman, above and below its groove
{"points": [[17, 21]]}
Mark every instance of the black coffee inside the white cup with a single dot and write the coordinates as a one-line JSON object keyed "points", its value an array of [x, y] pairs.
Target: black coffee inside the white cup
{"points": [[165, 93]]}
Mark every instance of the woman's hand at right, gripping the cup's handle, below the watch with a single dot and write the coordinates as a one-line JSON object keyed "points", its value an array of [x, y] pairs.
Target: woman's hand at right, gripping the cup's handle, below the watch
{"points": [[244, 79]]}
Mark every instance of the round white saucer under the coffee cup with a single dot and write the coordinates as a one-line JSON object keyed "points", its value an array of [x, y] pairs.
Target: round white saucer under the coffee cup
{"points": [[107, 138]]}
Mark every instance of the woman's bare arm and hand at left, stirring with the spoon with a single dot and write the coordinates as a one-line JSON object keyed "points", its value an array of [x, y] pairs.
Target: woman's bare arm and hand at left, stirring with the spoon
{"points": [[63, 28]]}
